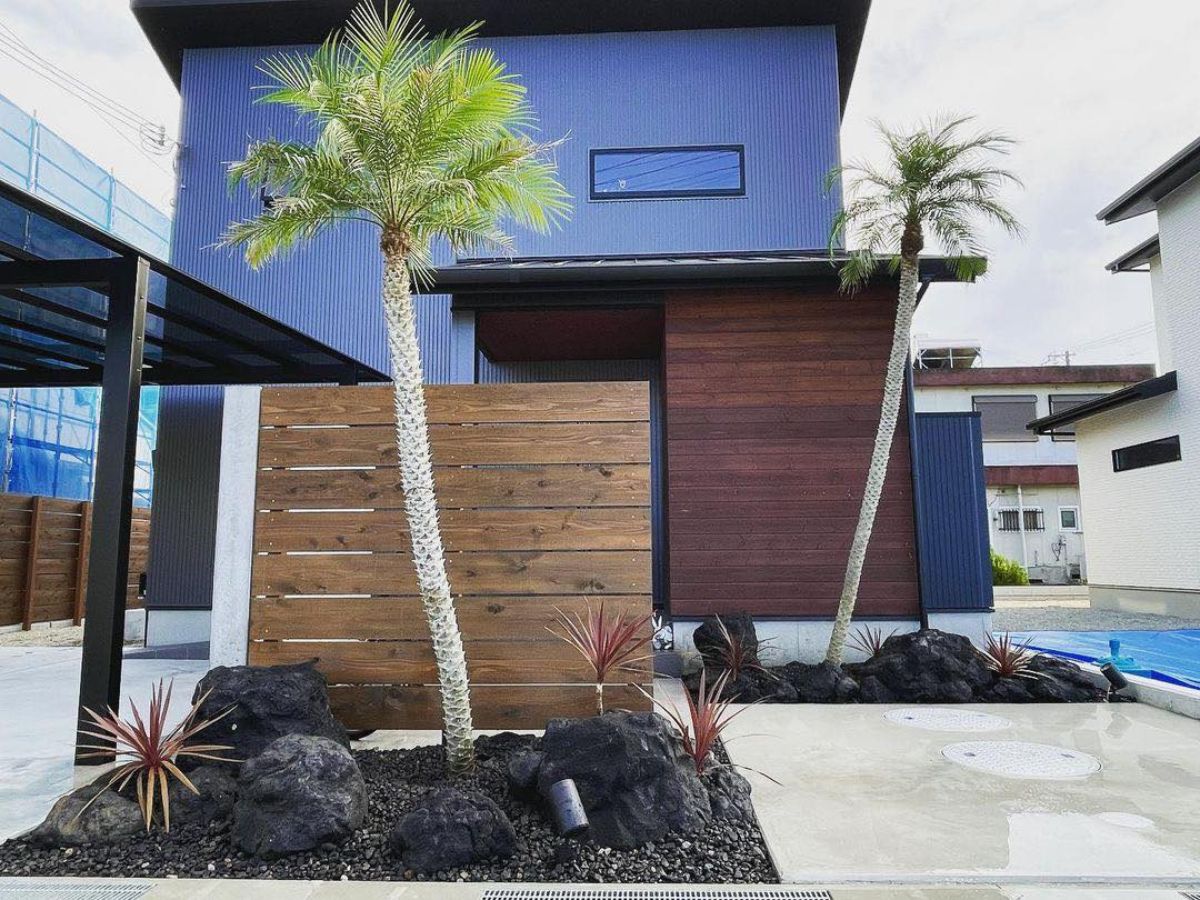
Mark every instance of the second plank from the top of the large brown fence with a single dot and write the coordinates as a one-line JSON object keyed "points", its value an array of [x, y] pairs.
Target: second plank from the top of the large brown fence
{"points": [[461, 445]]}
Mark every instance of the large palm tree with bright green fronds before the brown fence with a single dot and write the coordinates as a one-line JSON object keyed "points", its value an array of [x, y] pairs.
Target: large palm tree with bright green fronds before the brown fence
{"points": [[425, 140]]}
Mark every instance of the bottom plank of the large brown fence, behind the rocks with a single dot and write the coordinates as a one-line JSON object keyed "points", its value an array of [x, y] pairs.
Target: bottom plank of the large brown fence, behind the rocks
{"points": [[508, 707]]}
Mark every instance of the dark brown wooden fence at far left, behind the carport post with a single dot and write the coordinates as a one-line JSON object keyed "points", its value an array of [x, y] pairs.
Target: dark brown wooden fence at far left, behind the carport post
{"points": [[44, 559]]}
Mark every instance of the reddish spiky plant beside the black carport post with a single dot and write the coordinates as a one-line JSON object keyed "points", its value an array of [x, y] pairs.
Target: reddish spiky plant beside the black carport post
{"points": [[151, 751]]}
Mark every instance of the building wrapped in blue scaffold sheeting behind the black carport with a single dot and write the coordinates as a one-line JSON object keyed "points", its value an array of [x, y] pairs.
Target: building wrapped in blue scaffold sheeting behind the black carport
{"points": [[49, 435]]}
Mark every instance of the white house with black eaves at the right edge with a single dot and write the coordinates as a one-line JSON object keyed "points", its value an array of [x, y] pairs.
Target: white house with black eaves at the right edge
{"points": [[1138, 448]]}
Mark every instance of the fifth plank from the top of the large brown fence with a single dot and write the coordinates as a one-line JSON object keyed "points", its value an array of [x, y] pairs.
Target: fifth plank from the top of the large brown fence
{"points": [[481, 573]]}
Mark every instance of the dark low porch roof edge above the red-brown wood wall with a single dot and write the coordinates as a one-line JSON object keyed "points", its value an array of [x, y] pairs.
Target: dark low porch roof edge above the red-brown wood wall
{"points": [[675, 272]]}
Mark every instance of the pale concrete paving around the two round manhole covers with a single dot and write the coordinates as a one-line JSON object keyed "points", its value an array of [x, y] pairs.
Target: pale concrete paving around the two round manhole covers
{"points": [[866, 800]]}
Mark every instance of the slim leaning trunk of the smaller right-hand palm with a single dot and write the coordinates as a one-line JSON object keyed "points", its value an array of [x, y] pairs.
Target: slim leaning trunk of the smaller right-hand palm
{"points": [[890, 413]]}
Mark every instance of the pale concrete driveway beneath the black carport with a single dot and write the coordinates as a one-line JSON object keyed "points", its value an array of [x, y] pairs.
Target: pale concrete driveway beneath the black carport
{"points": [[39, 692]]}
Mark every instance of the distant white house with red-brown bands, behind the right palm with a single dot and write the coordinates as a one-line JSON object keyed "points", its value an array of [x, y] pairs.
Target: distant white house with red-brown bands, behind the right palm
{"points": [[1034, 508]]}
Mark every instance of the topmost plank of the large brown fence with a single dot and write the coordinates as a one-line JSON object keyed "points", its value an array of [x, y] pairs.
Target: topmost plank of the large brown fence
{"points": [[547, 403]]}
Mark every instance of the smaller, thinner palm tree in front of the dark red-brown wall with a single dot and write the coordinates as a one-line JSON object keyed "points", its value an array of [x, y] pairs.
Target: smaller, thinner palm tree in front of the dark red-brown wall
{"points": [[938, 183]]}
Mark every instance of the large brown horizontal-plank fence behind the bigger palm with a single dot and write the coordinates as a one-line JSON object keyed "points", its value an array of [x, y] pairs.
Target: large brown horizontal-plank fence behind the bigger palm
{"points": [[544, 493]]}
